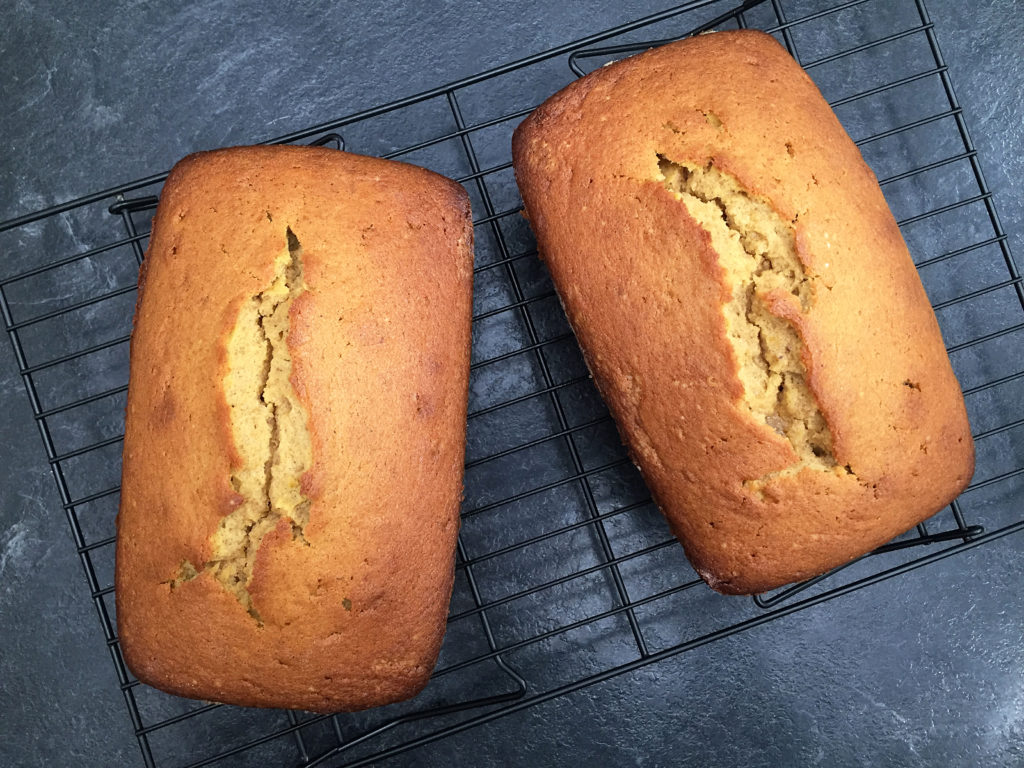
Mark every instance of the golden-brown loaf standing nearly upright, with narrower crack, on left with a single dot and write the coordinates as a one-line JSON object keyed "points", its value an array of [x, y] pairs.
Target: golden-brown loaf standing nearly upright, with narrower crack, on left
{"points": [[295, 430]]}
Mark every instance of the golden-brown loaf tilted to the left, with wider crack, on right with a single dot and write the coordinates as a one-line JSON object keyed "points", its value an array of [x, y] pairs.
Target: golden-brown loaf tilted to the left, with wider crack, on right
{"points": [[748, 308]]}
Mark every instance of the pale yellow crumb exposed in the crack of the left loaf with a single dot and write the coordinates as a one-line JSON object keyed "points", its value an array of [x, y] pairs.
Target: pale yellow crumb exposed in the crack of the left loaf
{"points": [[270, 426]]}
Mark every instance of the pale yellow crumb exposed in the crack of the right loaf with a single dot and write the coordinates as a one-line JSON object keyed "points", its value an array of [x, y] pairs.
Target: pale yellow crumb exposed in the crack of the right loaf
{"points": [[757, 249]]}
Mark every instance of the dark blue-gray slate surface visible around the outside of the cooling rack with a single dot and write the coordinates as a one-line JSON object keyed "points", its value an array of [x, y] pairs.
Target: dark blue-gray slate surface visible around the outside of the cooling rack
{"points": [[923, 670]]}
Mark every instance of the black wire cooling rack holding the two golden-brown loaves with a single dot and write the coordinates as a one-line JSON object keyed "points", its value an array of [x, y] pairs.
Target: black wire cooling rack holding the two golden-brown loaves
{"points": [[567, 574]]}
